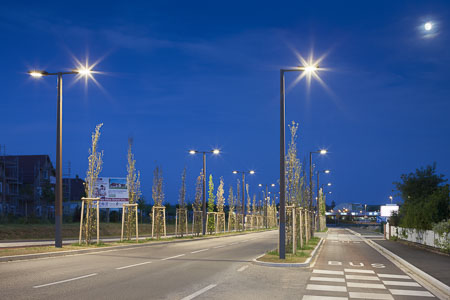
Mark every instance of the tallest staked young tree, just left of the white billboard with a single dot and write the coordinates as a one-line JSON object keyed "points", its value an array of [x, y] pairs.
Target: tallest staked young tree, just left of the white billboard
{"points": [[94, 168]]}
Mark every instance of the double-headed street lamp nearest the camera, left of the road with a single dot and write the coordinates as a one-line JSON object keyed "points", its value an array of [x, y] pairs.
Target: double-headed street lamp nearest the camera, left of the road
{"points": [[58, 185]]}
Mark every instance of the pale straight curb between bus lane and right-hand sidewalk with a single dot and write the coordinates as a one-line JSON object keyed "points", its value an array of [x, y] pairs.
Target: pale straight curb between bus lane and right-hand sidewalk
{"points": [[441, 290]]}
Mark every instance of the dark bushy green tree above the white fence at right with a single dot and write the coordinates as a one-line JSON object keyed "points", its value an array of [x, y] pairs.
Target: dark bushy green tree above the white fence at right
{"points": [[425, 197]]}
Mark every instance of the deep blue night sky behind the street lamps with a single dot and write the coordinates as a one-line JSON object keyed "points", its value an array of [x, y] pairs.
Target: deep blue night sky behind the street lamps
{"points": [[198, 75]]}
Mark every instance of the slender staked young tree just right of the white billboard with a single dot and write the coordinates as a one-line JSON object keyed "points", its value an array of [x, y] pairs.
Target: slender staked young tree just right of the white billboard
{"points": [[134, 188]]}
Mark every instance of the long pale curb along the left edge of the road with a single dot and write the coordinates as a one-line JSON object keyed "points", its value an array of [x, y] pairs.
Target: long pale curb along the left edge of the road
{"points": [[111, 248]]}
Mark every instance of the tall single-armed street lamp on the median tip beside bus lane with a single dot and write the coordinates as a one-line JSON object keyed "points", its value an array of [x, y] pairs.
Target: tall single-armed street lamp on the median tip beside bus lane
{"points": [[308, 70]]}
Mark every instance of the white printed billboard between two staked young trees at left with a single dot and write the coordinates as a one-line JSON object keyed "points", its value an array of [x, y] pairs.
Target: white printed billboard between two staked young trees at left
{"points": [[112, 191]]}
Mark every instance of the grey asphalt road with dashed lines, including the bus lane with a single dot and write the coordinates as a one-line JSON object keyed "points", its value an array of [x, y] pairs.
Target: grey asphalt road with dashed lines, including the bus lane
{"points": [[211, 269]]}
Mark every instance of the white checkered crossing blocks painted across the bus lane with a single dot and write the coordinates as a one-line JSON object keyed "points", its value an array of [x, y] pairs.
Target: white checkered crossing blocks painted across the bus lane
{"points": [[362, 284]]}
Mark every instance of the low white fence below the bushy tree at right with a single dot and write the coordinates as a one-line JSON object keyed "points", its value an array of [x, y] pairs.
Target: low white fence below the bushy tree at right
{"points": [[424, 237]]}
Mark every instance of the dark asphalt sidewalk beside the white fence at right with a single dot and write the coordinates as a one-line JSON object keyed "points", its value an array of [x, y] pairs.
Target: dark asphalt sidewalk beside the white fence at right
{"points": [[436, 265]]}
